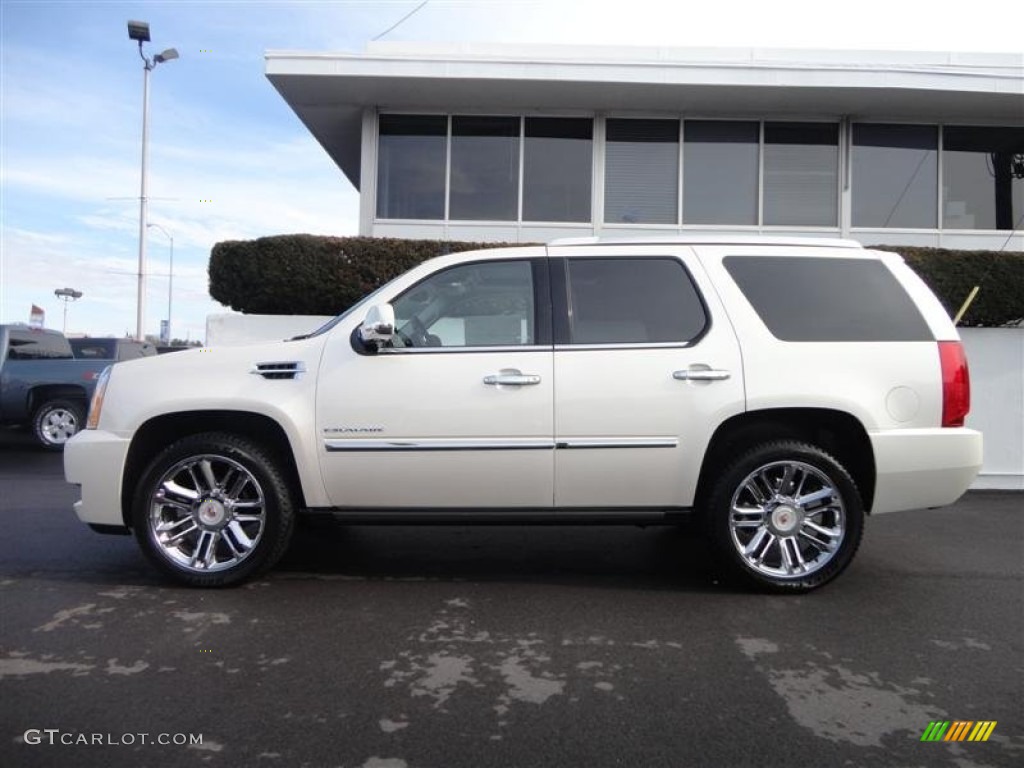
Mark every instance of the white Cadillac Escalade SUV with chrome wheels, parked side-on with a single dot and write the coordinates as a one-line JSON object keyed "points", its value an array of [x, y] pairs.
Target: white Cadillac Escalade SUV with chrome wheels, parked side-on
{"points": [[779, 390]]}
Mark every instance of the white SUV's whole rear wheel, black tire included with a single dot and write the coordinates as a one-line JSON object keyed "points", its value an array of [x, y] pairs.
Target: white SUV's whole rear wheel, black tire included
{"points": [[772, 525]]}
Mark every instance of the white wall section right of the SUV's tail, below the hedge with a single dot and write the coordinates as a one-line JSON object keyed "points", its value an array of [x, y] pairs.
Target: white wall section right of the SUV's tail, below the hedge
{"points": [[996, 357]]}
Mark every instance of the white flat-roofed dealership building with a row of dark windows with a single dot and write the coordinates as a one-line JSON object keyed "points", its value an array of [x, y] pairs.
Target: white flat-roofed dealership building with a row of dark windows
{"points": [[527, 144]]}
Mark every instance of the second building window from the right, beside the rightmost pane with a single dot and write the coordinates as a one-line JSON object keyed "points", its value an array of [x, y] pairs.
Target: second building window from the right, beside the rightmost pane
{"points": [[895, 176]]}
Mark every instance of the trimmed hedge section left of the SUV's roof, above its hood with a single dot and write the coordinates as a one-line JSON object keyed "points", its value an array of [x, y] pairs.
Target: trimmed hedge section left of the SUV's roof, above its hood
{"points": [[314, 275]]}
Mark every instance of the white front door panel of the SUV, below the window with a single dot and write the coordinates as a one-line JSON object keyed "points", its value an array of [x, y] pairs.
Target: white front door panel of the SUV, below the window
{"points": [[424, 431]]}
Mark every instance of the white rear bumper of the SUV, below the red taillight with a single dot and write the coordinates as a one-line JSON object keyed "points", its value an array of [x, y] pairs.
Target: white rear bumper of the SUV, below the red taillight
{"points": [[922, 468]]}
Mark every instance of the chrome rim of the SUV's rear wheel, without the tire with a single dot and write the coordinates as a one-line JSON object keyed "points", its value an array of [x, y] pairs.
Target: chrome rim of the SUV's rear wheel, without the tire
{"points": [[787, 520]]}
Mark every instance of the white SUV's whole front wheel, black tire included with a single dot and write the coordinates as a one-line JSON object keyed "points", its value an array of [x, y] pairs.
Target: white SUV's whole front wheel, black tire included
{"points": [[214, 510]]}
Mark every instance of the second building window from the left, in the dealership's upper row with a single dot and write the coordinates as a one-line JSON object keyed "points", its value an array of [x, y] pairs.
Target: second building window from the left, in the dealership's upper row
{"points": [[485, 184]]}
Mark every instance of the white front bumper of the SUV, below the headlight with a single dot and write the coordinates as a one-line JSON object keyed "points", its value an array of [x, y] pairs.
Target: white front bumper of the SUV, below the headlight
{"points": [[95, 460]]}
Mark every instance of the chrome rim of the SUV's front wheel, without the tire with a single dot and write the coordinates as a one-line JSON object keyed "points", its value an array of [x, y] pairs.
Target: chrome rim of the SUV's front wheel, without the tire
{"points": [[207, 515]]}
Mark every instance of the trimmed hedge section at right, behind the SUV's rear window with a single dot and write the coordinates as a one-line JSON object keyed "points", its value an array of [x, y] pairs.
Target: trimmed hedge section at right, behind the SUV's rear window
{"points": [[952, 275]]}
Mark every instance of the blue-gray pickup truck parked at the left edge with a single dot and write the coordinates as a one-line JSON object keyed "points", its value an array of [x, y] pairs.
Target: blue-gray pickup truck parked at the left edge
{"points": [[42, 386]]}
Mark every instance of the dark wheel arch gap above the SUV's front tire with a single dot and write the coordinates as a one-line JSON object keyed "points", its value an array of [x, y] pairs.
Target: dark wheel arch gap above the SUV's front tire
{"points": [[154, 436]]}
